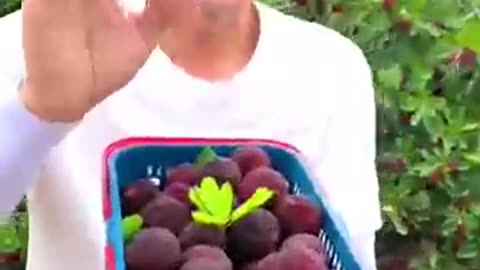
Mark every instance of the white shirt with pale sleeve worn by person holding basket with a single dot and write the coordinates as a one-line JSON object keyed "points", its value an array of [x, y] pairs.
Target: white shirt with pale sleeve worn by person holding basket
{"points": [[306, 85]]}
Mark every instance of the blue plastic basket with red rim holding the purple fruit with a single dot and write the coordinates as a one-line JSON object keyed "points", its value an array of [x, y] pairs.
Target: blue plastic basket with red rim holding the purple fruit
{"points": [[136, 158]]}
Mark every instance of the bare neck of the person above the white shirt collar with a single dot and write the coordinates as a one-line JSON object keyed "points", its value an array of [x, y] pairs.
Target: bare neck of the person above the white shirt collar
{"points": [[214, 47]]}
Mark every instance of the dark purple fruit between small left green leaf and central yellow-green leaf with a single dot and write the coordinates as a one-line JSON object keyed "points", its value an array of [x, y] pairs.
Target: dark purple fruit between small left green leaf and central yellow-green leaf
{"points": [[166, 212]]}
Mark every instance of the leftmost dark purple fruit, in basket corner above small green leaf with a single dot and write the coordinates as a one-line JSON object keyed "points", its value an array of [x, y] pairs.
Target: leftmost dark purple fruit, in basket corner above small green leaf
{"points": [[137, 195]]}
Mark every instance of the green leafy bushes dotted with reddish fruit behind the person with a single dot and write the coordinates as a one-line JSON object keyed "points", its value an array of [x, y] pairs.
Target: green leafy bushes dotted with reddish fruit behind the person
{"points": [[423, 54]]}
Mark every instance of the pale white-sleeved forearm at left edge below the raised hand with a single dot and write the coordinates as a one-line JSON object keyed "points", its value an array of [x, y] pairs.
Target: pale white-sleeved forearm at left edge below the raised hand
{"points": [[25, 141]]}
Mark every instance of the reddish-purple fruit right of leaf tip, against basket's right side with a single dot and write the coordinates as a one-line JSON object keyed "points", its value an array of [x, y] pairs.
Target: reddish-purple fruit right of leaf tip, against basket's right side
{"points": [[297, 214]]}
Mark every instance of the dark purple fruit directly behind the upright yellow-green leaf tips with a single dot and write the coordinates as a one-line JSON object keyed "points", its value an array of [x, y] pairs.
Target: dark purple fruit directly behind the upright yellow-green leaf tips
{"points": [[223, 170]]}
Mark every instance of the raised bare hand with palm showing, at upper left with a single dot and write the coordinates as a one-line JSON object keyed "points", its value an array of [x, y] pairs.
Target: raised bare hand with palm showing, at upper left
{"points": [[78, 52]]}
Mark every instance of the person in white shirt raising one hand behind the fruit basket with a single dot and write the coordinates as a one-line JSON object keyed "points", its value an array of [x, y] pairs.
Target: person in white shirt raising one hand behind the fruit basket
{"points": [[90, 73]]}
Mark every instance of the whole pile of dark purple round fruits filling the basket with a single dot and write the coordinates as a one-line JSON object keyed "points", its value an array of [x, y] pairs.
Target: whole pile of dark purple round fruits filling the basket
{"points": [[282, 235]]}
